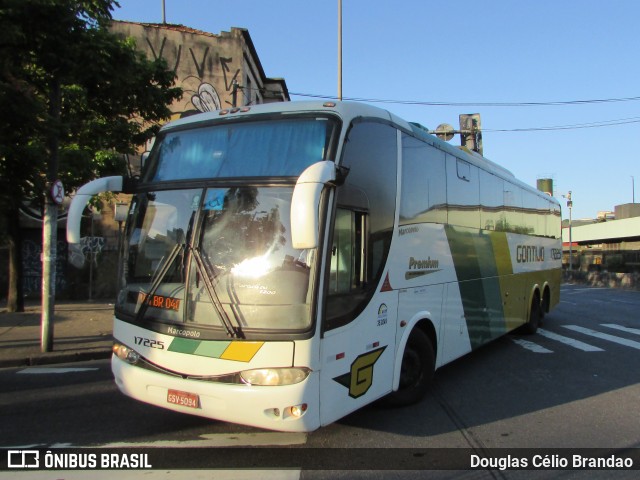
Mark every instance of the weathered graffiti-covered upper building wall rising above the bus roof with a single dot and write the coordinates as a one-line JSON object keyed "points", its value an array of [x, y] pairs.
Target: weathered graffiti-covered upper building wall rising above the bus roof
{"points": [[214, 70]]}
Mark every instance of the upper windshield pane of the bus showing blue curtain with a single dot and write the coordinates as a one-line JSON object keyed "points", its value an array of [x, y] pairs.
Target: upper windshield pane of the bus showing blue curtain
{"points": [[270, 148]]}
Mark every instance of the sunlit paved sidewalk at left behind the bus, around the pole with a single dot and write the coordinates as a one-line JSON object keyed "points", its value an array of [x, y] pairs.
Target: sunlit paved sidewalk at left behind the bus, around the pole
{"points": [[82, 331]]}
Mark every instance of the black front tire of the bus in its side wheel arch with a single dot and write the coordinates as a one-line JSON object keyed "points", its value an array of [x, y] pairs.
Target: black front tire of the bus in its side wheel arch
{"points": [[416, 371]]}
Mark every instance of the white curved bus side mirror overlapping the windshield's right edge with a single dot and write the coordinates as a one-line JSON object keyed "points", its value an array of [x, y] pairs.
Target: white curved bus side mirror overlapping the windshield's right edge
{"points": [[305, 203]]}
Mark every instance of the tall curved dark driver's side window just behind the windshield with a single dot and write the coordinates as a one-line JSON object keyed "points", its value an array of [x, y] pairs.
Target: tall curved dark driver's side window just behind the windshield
{"points": [[363, 222]]}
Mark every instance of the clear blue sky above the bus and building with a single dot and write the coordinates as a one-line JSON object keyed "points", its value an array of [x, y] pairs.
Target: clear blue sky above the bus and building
{"points": [[556, 82]]}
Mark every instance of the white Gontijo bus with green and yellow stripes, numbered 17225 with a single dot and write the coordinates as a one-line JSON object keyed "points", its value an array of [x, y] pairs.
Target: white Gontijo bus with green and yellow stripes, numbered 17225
{"points": [[287, 264]]}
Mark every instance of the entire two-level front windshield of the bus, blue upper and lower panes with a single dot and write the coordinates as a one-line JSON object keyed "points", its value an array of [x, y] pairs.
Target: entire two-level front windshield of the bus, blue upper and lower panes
{"points": [[214, 250]]}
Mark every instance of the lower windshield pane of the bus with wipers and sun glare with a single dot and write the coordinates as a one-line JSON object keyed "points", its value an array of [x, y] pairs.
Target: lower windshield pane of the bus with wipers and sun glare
{"points": [[218, 257]]}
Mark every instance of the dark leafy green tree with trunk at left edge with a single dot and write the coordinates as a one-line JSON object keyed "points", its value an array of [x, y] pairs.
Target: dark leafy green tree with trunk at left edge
{"points": [[73, 98]]}
